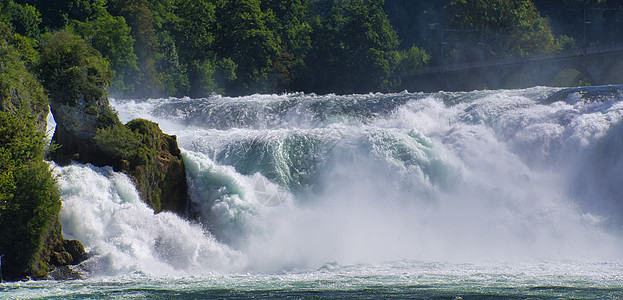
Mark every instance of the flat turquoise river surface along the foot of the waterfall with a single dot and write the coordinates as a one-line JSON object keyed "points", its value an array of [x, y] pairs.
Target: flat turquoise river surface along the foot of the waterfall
{"points": [[392, 280]]}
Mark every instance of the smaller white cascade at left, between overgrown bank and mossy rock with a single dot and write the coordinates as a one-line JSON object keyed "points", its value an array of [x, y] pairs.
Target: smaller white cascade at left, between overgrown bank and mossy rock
{"points": [[102, 209]]}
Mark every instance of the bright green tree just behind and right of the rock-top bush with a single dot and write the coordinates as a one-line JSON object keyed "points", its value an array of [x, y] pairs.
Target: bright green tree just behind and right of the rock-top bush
{"points": [[111, 37]]}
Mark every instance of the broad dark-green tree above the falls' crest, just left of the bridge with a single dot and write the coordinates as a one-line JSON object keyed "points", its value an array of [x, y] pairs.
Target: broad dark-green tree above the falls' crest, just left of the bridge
{"points": [[352, 49]]}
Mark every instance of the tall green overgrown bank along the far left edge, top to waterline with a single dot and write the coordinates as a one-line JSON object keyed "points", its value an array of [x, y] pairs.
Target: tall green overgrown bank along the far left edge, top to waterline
{"points": [[29, 201]]}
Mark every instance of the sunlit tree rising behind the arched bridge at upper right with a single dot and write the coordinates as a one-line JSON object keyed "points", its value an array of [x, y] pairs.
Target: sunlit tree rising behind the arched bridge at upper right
{"points": [[511, 27]]}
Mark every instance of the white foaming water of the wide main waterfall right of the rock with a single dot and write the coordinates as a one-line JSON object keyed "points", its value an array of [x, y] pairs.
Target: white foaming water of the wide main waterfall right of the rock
{"points": [[489, 177]]}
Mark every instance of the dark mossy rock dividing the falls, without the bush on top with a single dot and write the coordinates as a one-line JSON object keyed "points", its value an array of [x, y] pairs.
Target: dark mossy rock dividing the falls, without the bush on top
{"points": [[93, 134]]}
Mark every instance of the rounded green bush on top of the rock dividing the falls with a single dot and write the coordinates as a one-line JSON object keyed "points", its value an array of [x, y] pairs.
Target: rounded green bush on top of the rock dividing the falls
{"points": [[70, 69]]}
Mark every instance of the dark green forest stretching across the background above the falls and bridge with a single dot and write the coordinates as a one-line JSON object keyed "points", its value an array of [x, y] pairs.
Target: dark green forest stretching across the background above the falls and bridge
{"points": [[158, 48]]}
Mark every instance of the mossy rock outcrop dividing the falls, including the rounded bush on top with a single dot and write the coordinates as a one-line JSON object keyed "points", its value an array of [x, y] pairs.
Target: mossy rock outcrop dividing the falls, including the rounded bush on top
{"points": [[88, 131]]}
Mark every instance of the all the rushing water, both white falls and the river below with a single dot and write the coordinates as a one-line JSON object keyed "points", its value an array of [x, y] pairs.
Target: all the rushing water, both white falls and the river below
{"points": [[513, 194]]}
